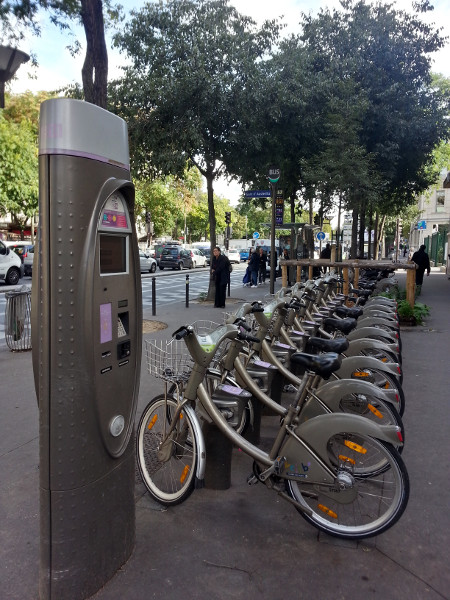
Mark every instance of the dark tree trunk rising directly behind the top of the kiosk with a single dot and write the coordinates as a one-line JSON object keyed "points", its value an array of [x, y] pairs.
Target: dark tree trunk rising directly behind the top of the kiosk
{"points": [[95, 68]]}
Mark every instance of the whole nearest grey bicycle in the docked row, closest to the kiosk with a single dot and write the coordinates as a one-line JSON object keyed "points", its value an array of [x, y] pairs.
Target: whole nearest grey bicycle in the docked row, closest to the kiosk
{"points": [[320, 466]]}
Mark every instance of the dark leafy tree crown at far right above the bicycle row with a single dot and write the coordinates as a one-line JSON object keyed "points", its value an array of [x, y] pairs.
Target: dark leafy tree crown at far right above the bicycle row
{"points": [[386, 54]]}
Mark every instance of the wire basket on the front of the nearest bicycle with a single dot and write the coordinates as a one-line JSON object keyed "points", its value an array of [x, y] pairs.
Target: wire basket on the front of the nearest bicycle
{"points": [[169, 361]]}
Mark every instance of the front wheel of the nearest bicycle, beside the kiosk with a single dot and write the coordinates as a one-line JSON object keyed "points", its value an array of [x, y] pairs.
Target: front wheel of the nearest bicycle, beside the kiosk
{"points": [[167, 463]]}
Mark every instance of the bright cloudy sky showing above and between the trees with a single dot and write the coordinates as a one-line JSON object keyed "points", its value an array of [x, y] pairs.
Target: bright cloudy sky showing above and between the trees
{"points": [[57, 68]]}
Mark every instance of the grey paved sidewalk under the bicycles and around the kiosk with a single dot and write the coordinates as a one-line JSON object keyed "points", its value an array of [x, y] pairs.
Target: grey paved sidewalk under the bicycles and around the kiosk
{"points": [[245, 542]]}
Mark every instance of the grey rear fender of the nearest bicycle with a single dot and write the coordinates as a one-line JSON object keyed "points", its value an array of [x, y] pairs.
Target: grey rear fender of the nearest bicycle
{"points": [[317, 431]]}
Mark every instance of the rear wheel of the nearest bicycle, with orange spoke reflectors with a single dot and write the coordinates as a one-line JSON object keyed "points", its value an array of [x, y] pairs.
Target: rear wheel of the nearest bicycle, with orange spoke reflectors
{"points": [[359, 506]]}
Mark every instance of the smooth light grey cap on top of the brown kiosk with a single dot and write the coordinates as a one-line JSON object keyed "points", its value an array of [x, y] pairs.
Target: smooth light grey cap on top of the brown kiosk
{"points": [[78, 128]]}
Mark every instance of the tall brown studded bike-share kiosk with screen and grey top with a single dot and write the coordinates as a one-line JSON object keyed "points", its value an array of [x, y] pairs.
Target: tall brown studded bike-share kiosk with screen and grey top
{"points": [[86, 334]]}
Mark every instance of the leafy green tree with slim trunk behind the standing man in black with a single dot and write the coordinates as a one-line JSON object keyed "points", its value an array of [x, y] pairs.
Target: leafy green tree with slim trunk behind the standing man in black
{"points": [[192, 72]]}
